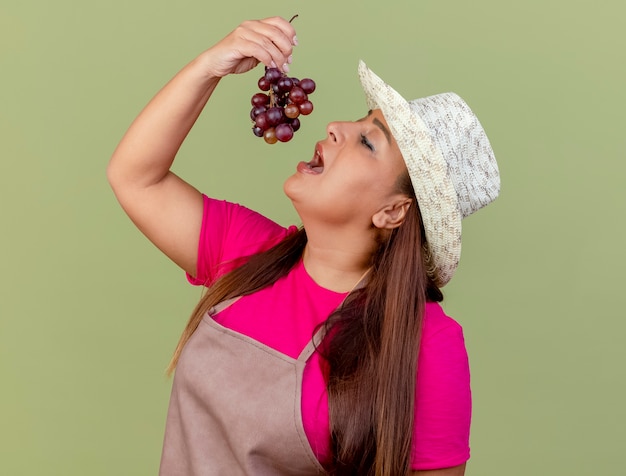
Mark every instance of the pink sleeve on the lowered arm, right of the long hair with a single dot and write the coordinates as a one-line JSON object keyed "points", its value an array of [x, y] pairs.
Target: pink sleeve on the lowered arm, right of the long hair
{"points": [[443, 397]]}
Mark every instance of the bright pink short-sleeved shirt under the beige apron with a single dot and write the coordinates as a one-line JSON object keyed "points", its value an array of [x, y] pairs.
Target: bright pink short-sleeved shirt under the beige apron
{"points": [[284, 316]]}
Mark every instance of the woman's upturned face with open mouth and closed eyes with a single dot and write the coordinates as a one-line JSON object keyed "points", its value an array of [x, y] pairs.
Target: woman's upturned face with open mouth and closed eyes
{"points": [[352, 175]]}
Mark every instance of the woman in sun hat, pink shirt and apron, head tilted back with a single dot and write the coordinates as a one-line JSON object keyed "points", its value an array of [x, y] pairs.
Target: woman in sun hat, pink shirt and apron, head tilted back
{"points": [[321, 349]]}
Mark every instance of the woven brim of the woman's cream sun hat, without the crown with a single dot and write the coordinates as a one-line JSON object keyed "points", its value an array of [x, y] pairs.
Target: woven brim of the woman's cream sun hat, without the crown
{"points": [[435, 192]]}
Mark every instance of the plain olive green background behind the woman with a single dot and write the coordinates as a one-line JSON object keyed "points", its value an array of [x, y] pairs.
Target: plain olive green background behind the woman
{"points": [[90, 311]]}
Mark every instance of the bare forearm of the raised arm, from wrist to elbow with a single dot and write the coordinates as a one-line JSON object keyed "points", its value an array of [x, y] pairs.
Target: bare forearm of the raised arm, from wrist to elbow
{"points": [[147, 150]]}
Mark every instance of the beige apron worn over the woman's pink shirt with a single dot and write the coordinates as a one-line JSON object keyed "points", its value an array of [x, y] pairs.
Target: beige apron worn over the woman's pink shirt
{"points": [[235, 408]]}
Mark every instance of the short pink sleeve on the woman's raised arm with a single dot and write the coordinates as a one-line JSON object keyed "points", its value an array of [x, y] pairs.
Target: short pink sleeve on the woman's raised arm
{"points": [[229, 233]]}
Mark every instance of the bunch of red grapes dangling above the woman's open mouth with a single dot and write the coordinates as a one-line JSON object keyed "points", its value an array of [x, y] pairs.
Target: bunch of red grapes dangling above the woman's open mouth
{"points": [[276, 113]]}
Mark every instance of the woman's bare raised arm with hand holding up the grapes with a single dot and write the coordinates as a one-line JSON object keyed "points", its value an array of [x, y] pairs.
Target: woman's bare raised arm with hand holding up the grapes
{"points": [[164, 207]]}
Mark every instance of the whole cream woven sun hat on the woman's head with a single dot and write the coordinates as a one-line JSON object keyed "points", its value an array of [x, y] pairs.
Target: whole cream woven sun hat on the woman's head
{"points": [[449, 158]]}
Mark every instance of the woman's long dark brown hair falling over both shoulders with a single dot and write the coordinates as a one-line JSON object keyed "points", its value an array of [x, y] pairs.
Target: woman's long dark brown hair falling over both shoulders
{"points": [[371, 346]]}
